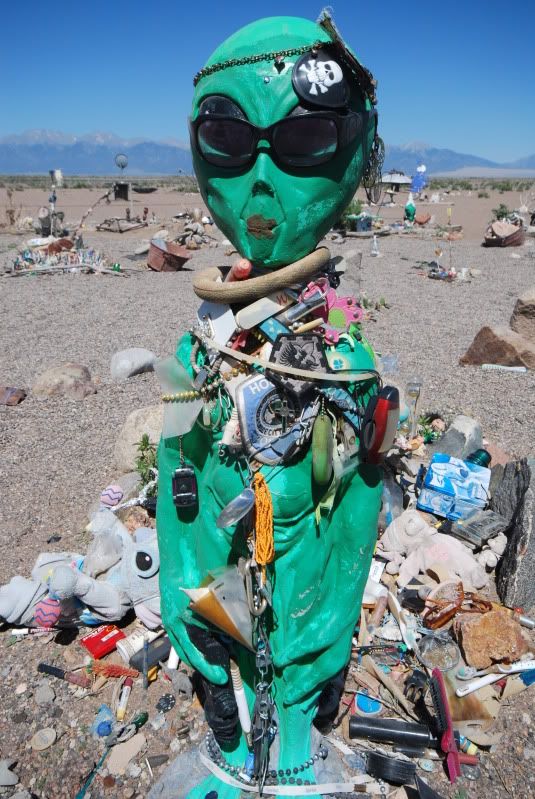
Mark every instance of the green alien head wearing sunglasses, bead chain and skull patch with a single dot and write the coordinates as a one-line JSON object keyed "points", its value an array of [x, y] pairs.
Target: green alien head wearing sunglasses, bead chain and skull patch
{"points": [[276, 189]]}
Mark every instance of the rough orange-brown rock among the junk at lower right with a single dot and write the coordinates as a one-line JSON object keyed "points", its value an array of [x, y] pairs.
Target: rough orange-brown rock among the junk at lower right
{"points": [[490, 638]]}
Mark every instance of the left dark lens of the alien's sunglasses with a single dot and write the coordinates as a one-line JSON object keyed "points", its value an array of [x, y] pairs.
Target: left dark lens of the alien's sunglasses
{"points": [[225, 142]]}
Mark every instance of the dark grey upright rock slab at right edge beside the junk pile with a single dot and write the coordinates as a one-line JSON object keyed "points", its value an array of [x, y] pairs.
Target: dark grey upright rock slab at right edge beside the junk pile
{"points": [[514, 498]]}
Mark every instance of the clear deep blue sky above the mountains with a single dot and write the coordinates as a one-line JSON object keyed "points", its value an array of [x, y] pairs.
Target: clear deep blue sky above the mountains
{"points": [[451, 74]]}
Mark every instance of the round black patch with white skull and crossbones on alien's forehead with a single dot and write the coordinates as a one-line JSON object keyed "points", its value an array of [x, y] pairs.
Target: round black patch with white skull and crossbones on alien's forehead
{"points": [[319, 79]]}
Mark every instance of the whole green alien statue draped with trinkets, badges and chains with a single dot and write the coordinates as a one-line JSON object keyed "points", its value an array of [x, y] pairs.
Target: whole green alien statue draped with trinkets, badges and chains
{"points": [[260, 476]]}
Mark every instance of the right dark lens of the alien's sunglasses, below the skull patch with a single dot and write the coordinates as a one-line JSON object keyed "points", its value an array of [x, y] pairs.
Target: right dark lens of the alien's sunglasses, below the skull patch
{"points": [[305, 141]]}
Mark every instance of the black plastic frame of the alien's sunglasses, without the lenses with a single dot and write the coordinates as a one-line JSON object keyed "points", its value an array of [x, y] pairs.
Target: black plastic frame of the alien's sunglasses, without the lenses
{"points": [[341, 121]]}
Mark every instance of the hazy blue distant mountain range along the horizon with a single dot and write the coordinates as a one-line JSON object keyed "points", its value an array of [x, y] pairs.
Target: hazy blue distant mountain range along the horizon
{"points": [[37, 151]]}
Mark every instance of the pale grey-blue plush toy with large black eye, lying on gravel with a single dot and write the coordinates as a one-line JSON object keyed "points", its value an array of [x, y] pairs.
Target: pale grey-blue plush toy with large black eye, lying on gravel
{"points": [[66, 589]]}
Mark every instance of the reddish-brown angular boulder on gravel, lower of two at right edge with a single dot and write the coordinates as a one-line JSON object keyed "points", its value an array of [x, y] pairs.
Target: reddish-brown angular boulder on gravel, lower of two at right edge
{"points": [[499, 345]]}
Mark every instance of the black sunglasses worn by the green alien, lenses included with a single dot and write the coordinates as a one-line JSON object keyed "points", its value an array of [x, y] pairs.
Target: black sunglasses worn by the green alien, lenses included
{"points": [[299, 141]]}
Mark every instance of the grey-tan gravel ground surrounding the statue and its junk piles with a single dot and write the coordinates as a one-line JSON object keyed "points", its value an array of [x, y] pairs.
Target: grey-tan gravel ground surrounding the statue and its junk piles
{"points": [[57, 454]]}
